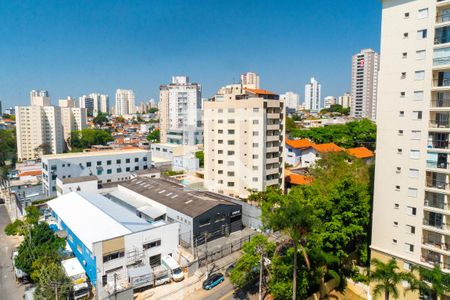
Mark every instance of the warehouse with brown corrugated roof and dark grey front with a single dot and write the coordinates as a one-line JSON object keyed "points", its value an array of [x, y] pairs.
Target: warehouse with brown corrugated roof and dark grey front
{"points": [[199, 213]]}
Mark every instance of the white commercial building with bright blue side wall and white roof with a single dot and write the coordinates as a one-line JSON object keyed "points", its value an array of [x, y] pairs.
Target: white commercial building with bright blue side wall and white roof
{"points": [[110, 242]]}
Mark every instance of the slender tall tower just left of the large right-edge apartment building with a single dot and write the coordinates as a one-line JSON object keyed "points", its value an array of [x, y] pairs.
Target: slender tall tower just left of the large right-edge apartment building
{"points": [[365, 67]]}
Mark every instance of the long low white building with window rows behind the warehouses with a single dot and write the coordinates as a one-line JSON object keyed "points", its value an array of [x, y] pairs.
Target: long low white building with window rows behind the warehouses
{"points": [[108, 166]]}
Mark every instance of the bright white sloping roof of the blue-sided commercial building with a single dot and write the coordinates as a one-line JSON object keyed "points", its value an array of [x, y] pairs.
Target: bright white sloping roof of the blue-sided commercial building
{"points": [[93, 217]]}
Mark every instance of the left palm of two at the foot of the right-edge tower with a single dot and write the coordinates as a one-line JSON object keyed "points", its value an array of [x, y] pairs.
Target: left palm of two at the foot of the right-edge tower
{"points": [[387, 278]]}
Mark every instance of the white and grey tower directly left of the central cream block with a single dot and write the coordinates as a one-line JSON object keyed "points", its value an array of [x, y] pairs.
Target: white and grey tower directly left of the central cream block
{"points": [[180, 112]]}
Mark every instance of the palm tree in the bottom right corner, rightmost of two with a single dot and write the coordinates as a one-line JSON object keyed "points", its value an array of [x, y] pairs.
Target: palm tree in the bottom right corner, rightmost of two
{"points": [[433, 282]]}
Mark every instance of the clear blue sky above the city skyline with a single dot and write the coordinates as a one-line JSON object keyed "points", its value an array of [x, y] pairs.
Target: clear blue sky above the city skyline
{"points": [[75, 47]]}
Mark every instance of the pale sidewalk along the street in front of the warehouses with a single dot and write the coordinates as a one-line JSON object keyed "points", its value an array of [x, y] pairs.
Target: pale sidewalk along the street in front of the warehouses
{"points": [[187, 288]]}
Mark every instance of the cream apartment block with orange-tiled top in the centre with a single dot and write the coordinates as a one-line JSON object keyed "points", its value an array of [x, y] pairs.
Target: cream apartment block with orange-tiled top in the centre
{"points": [[243, 141]]}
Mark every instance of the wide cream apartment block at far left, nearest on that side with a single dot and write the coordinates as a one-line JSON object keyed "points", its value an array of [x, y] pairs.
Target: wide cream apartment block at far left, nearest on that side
{"points": [[38, 126]]}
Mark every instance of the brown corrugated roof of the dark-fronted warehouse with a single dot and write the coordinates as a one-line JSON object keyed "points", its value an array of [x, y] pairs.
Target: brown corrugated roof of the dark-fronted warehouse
{"points": [[176, 196]]}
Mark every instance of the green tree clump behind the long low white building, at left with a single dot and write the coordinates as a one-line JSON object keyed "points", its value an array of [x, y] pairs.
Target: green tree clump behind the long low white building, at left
{"points": [[88, 137]]}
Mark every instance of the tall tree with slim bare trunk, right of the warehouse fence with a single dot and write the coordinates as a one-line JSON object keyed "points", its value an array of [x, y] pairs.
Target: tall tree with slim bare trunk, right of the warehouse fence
{"points": [[291, 214]]}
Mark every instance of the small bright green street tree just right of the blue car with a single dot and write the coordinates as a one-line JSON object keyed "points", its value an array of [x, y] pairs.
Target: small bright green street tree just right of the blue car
{"points": [[246, 269]]}
